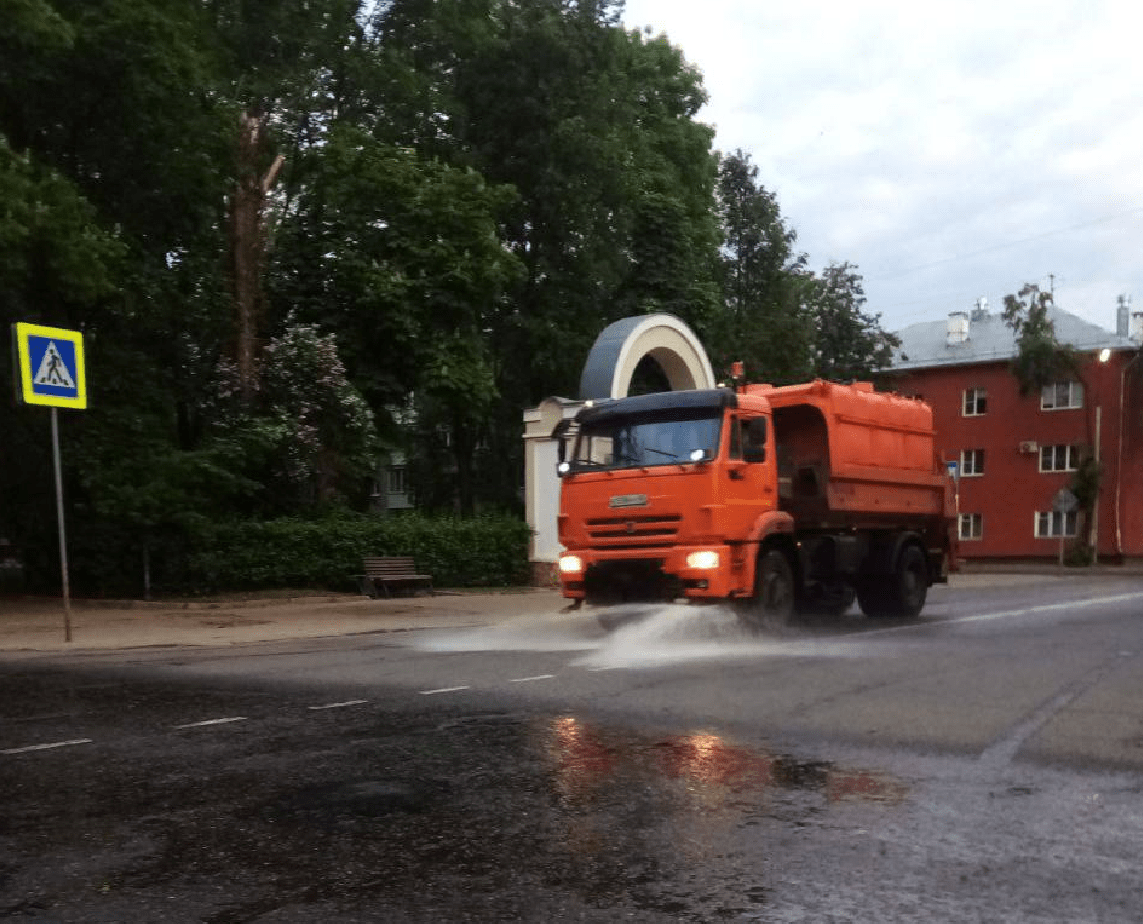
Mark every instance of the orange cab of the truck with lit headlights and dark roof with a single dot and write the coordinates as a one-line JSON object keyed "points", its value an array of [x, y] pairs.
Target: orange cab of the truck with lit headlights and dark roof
{"points": [[662, 493]]}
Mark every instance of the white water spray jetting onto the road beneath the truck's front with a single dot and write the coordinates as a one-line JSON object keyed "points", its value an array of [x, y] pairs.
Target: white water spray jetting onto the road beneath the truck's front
{"points": [[637, 636]]}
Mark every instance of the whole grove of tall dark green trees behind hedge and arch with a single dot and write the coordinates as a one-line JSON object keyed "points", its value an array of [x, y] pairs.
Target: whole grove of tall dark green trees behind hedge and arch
{"points": [[278, 221]]}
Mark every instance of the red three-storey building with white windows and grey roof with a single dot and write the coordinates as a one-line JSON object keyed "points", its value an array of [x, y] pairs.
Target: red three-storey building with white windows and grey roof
{"points": [[1016, 453]]}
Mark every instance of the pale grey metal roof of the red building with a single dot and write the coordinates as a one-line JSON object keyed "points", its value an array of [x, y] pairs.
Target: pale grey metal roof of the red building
{"points": [[990, 340]]}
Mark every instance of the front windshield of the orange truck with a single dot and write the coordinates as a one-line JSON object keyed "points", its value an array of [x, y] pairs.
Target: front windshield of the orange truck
{"points": [[664, 439]]}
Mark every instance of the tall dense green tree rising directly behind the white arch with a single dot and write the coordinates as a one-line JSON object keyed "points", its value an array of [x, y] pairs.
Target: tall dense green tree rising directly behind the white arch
{"points": [[596, 130]]}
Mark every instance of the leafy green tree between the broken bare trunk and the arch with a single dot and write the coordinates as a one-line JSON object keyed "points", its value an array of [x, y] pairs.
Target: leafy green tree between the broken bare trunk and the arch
{"points": [[402, 254]]}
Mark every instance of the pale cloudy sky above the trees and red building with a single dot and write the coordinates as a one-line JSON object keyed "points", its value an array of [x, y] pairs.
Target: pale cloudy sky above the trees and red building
{"points": [[950, 150]]}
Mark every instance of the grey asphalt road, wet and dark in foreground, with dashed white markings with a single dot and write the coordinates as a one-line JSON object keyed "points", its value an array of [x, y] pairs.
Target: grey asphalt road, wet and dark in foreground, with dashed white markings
{"points": [[986, 764]]}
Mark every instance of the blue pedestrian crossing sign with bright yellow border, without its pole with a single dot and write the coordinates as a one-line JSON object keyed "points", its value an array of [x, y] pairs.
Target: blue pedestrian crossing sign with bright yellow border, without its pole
{"points": [[50, 367]]}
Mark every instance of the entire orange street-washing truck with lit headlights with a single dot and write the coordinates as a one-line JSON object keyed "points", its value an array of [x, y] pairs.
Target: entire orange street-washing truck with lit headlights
{"points": [[778, 499]]}
